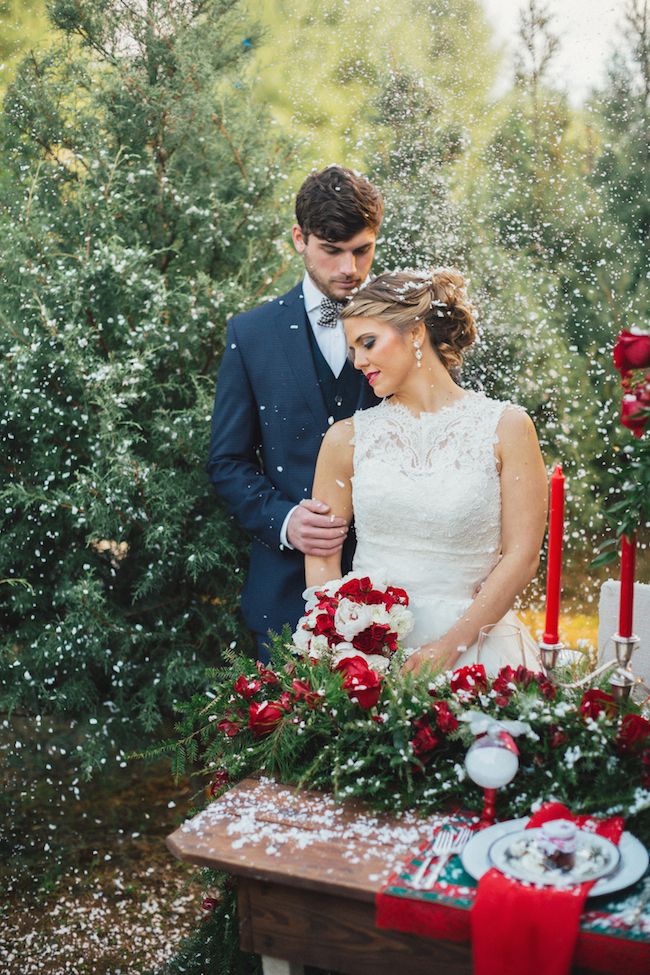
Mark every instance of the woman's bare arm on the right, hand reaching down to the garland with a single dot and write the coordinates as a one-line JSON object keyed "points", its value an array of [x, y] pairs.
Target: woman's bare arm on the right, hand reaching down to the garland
{"points": [[523, 519]]}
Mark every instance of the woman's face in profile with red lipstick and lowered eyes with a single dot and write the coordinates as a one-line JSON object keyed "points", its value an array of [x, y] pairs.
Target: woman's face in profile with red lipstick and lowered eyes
{"points": [[384, 355]]}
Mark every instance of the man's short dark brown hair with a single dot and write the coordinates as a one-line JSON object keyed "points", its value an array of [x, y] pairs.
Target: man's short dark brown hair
{"points": [[337, 203]]}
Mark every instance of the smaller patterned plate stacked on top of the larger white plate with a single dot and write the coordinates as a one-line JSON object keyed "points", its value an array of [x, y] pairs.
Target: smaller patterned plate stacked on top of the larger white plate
{"points": [[501, 856]]}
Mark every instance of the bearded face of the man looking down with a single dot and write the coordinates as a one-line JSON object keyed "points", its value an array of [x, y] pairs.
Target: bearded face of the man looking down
{"points": [[336, 267]]}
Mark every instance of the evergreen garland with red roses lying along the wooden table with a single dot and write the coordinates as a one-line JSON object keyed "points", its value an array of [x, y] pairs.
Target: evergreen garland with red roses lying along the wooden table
{"points": [[328, 741]]}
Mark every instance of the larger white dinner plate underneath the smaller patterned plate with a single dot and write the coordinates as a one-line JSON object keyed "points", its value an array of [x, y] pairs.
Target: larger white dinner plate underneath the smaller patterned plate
{"points": [[634, 857]]}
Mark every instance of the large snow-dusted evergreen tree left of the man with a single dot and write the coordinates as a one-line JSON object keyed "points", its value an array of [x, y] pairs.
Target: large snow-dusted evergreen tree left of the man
{"points": [[141, 211]]}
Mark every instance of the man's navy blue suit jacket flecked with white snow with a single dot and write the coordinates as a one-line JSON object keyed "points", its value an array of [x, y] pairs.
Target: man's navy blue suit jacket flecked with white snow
{"points": [[268, 423]]}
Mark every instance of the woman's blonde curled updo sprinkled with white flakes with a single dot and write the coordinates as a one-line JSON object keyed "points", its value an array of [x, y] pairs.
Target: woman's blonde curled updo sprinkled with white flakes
{"points": [[437, 298]]}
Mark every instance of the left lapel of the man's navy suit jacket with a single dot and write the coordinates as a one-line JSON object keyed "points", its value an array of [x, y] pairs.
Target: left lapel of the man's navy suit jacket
{"points": [[293, 324]]}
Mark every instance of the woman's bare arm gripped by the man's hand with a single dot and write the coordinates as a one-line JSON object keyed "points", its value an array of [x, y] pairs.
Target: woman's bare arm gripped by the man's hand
{"points": [[332, 484]]}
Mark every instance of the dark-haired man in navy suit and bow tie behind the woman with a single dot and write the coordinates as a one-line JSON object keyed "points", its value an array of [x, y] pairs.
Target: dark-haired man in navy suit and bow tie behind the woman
{"points": [[284, 378]]}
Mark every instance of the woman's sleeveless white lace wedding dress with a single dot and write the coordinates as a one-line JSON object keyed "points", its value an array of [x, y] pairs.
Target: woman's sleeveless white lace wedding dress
{"points": [[427, 507]]}
